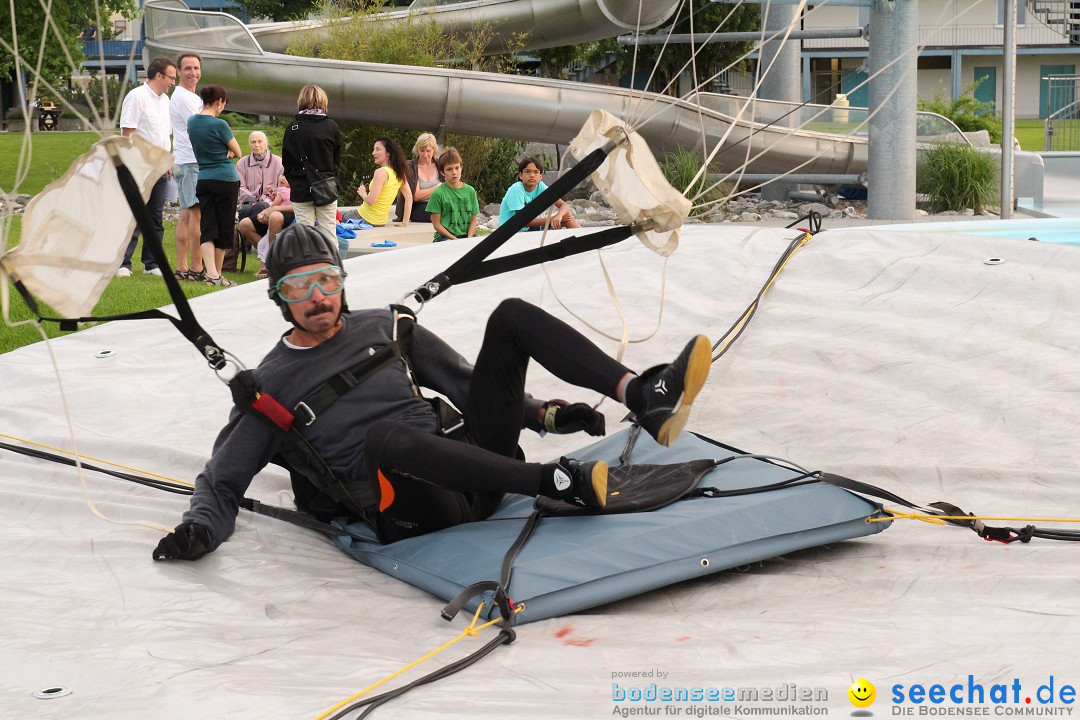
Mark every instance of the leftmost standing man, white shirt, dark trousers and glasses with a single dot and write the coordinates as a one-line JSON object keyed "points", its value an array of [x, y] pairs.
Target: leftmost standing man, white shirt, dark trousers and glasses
{"points": [[146, 112]]}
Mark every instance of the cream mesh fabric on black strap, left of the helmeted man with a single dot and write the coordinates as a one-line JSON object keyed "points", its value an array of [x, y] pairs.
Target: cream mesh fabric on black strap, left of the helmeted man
{"points": [[75, 232]]}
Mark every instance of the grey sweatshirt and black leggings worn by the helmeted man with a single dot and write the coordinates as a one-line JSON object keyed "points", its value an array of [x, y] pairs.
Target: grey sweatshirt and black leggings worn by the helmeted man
{"points": [[382, 434]]}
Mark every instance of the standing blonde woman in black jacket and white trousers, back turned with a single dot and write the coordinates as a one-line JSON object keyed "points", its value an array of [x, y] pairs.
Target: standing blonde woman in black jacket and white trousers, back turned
{"points": [[312, 152]]}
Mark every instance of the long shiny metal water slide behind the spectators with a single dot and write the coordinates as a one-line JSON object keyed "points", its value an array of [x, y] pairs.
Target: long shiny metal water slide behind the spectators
{"points": [[487, 104]]}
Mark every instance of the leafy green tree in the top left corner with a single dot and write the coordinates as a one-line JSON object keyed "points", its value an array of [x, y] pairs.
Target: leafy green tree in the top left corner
{"points": [[71, 19]]}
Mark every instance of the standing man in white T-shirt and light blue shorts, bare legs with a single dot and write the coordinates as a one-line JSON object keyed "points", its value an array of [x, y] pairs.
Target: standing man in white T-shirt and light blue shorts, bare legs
{"points": [[185, 104]]}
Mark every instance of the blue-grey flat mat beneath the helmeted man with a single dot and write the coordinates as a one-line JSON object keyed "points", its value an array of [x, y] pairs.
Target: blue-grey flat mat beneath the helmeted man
{"points": [[571, 564]]}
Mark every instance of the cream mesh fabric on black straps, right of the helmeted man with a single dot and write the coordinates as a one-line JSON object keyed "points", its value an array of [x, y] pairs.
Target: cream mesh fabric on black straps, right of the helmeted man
{"points": [[632, 182]]}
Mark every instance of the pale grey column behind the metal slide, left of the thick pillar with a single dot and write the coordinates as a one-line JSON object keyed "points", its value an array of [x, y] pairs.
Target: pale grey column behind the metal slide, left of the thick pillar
{"points": [[784, 79]]}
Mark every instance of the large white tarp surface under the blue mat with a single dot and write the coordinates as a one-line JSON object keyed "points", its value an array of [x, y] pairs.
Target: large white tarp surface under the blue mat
{"points": [[898, 359]]}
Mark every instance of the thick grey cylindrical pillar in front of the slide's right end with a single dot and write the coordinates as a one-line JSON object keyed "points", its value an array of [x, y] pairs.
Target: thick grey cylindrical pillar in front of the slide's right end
{"points": [[895, 30]]}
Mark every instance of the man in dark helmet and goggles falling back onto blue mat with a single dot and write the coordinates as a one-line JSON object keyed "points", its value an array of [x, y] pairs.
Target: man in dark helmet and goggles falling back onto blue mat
{"points": [[379, 443]]}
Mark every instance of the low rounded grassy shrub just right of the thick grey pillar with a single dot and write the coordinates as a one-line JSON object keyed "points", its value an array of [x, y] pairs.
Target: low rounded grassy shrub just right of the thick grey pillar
{"points": [[956, 178]]}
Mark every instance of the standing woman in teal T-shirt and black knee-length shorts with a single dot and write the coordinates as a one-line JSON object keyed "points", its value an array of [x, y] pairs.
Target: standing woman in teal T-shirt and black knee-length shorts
{"points": [[214, 146]]}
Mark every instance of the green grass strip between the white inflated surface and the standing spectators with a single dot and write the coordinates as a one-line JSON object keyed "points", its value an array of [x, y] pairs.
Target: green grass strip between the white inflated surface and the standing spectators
{"points": [[124, 295]]}
